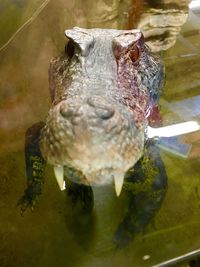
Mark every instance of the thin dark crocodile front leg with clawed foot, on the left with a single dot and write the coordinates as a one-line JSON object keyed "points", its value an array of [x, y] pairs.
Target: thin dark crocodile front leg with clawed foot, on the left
{"points": [[35, 165]]}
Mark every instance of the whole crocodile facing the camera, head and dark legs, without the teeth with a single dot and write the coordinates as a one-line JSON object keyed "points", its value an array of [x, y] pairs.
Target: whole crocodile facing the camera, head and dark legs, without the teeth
{"points": [[104, 92]]}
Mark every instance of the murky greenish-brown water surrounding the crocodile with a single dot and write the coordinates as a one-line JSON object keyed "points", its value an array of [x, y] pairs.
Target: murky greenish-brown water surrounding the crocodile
{"points": [[54, 234]]}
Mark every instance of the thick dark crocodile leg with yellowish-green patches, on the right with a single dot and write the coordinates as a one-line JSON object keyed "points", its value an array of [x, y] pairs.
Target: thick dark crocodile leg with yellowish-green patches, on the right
{"points": [[146, 185]]}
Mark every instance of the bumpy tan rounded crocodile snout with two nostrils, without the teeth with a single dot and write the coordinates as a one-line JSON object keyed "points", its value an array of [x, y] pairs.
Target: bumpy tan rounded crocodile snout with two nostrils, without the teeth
{"points": [[94, 135]]}
